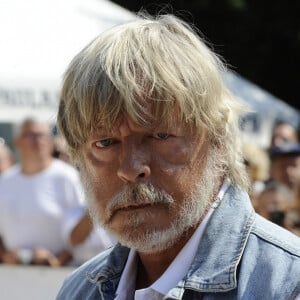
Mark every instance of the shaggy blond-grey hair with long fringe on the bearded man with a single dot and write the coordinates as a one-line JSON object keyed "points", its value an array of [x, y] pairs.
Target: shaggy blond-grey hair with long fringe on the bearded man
{"points": [[151, 60]]}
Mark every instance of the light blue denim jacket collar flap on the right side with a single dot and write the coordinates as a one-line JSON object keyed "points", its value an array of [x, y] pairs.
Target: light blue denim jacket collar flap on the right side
{"points": [[214, 268]]}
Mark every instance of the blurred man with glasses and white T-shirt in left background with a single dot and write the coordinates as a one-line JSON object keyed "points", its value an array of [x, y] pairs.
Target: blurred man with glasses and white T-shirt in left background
{"points": [[35, 196]]}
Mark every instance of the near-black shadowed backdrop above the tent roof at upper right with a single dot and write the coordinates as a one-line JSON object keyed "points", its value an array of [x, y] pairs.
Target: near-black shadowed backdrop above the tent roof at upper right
{"points": [[258, 39]]}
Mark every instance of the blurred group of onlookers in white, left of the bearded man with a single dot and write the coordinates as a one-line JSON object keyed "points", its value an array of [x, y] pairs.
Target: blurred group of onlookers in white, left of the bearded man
{"points": [[42, 205]]}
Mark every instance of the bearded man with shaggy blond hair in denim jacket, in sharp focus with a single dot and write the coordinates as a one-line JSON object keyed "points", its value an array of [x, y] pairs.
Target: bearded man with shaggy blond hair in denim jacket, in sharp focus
{"points": [[154, 132]]}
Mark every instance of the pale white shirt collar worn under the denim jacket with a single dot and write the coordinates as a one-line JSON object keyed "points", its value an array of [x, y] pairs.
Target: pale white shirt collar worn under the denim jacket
{"points": [[174, 273]]}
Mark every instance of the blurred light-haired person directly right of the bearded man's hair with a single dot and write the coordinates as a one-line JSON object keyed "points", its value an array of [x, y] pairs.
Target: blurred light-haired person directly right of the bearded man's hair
{"points": [[257, 164]]}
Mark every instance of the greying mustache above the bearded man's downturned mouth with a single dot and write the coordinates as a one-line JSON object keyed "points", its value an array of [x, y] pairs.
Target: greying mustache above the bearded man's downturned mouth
{"points": [[136, 195]]}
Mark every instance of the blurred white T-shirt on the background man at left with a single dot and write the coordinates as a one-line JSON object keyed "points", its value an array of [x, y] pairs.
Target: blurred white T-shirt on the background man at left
{"points": [[33, 207]]}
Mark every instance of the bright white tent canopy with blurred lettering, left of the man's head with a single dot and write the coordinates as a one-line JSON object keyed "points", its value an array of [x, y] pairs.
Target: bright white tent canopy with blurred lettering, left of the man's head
{"points": [[38, 40]]}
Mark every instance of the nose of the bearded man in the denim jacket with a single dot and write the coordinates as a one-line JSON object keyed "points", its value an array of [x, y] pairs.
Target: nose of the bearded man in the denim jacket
{"points": [[134, 163]]}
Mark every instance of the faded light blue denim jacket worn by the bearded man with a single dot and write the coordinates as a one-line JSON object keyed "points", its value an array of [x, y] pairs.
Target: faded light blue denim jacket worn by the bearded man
{"points": [[240, 256]]}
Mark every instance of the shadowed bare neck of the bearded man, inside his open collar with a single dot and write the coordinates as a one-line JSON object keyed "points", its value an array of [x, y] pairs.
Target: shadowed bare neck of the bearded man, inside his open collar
{"points": [[152, 266]]}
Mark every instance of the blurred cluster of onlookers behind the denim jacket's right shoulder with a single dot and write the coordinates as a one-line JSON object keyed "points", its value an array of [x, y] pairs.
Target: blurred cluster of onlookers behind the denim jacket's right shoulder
{"points": [[275, 176]]}
